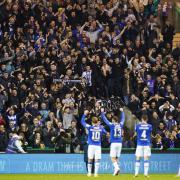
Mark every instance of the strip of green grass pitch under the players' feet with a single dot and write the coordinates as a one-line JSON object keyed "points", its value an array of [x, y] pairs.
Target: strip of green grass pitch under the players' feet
{"points": [[83, 177]]}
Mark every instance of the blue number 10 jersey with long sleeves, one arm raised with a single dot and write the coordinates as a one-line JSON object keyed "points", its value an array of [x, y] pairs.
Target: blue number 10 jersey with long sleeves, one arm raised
{"points": [[95, 132]]}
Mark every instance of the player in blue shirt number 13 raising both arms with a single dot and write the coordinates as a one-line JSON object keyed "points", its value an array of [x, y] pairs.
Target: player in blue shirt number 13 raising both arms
{"points": [[116, 127]]}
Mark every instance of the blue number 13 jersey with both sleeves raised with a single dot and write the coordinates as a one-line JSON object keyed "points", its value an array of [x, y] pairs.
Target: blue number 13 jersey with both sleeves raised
{"points": [[115, 128]]}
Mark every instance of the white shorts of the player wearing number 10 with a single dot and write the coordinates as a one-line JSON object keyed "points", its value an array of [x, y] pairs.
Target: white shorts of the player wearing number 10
{"points": [[94, 152]]}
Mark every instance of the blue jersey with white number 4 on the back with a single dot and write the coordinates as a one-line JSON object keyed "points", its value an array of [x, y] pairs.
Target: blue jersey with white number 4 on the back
{"points": [[143, 131]]}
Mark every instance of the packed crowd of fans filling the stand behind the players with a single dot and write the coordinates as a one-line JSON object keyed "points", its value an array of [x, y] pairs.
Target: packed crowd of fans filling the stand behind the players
{"points": [[58, 58]]}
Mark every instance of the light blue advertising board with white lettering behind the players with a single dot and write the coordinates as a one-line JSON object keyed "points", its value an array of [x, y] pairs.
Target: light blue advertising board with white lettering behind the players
{"points": [[74, 163]]}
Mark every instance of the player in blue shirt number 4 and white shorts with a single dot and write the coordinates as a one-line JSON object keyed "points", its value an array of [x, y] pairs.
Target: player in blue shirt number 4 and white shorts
{"points": [[143, 149]]}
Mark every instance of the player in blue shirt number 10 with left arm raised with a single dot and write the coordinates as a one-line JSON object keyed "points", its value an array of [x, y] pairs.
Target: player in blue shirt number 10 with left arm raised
{"points": [[95, 132]]}
